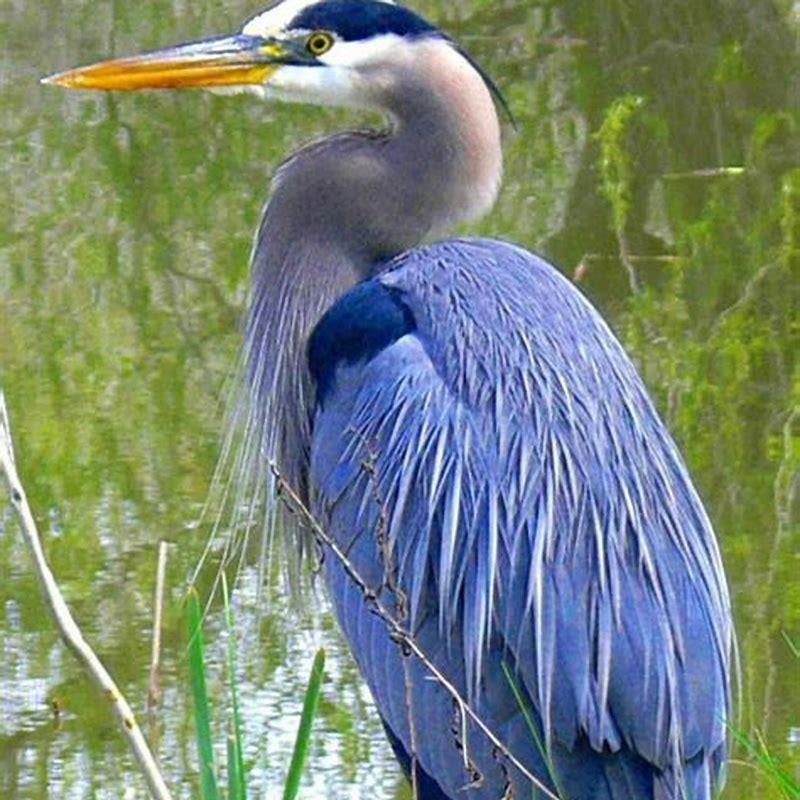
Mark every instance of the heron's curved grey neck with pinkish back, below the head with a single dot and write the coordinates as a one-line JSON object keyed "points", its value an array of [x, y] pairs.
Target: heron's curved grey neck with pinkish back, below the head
{"points": [[341, 207]]}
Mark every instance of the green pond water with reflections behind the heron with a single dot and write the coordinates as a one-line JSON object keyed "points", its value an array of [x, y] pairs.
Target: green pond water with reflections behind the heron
{"points": [[664, 131]]}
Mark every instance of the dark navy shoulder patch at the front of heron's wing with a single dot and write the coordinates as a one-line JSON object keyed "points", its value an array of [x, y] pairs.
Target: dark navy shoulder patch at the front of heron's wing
{"points": [[356, 328]]}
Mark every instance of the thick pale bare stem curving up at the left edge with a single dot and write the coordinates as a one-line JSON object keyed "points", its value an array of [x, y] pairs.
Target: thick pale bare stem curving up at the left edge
{"points": [[67, 627]]}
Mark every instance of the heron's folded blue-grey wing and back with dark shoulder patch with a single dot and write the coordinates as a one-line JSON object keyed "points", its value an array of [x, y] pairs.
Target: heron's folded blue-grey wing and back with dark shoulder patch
{"points": [[489, 458]]}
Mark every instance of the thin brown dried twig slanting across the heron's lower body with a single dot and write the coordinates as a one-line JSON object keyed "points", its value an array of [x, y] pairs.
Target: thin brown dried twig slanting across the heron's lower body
{"points": [[397, 631]]}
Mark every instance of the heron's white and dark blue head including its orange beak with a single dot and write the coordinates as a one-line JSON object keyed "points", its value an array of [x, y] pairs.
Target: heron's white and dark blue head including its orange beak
{"points": [[333, 52]]}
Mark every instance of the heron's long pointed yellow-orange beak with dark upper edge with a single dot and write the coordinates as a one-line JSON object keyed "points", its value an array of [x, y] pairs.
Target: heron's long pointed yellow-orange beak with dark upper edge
{"points": [[223, 61]]}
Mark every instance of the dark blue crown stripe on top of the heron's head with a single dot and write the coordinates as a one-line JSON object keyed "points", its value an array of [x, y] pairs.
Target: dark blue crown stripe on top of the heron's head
{"points": [[353, 20]]}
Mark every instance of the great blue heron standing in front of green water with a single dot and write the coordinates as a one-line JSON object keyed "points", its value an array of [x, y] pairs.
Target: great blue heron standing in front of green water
{"points": [[468, 429]]}
